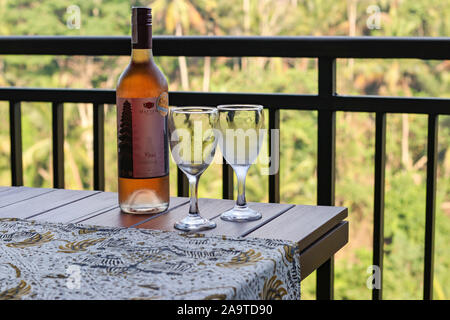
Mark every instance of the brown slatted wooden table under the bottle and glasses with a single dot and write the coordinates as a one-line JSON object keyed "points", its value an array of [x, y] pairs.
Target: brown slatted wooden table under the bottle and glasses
{"points": [[319, 230]]}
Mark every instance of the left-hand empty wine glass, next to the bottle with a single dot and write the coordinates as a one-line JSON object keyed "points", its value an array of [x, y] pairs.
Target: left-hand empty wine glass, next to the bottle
{"points": [[193, 144]]}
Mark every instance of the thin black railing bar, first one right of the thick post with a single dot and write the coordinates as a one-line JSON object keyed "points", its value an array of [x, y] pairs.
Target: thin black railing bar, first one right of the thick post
{"points": [[378, 211]]}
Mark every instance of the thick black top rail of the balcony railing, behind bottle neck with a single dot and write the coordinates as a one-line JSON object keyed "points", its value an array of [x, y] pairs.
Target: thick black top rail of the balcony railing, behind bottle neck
{"points": [[229, 46]]}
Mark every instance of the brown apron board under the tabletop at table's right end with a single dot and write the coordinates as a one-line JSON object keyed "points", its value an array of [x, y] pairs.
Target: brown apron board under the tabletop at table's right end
{"points": [[321, 250]]}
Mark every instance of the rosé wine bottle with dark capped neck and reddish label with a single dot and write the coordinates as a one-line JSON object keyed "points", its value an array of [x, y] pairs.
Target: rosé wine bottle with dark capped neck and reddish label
{"points": [[142, 107]]}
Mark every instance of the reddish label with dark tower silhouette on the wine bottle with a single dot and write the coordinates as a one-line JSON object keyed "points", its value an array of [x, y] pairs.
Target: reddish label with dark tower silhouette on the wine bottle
{"points": [[142, 137]]}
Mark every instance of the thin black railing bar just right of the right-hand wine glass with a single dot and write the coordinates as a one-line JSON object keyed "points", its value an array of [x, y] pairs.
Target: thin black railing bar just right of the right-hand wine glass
{"points": [[274, 144]]}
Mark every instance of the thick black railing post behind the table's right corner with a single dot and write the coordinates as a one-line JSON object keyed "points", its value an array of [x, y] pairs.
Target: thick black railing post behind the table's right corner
{"points": [[326, 133]]}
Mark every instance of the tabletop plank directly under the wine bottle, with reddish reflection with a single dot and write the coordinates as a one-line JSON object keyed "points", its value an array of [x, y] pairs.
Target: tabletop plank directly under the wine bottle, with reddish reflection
{"points": [[115, 218]]}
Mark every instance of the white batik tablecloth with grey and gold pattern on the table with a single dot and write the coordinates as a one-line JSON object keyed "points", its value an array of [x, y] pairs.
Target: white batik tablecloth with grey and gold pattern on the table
{"points": [[73, 261]]}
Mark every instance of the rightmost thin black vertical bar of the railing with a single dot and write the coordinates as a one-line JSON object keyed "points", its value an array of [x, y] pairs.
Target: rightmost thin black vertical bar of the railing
{"points": [[432, 147]]}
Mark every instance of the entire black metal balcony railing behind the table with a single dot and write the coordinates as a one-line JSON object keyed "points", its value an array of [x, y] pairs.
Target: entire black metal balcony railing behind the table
{"points": [[326, 103]]}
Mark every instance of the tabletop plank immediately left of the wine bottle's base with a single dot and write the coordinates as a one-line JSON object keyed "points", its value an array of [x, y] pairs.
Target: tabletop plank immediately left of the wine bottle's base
{"points": [[81, 209]]}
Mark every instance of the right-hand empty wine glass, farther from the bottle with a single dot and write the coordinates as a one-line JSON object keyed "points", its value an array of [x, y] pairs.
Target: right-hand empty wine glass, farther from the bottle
{"points": [[242, 129]]}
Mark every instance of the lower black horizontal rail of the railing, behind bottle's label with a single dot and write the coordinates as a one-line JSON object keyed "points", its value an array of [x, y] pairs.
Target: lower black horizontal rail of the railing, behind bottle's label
{"points": [[271, 100]]}
